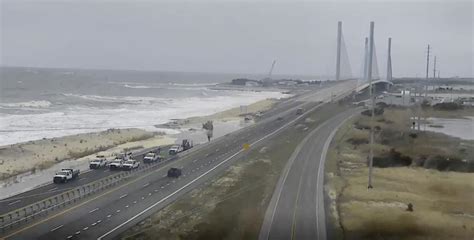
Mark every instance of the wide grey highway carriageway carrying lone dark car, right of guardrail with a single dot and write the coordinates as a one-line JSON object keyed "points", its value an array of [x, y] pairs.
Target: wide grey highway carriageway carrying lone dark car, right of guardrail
{"points": [[108, 213]]}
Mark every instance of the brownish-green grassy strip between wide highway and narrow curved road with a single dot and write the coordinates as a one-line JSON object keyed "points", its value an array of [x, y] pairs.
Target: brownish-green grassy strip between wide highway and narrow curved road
{"points": [[233, 204]]}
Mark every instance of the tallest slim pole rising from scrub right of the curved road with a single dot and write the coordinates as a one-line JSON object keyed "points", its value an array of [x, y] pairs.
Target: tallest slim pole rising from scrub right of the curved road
{"points": [[372, 97]]}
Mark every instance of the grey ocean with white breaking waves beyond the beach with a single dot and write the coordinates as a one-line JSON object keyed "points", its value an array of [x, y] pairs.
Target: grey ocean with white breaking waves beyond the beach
{"points": [[44, 103]]}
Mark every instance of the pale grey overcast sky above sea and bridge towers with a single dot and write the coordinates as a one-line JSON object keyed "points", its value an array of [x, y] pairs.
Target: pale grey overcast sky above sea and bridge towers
{"points": [[235, 36]]}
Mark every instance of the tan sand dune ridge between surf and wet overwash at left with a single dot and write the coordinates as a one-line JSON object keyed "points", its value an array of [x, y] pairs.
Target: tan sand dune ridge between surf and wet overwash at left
{"points": [[41, 154]]}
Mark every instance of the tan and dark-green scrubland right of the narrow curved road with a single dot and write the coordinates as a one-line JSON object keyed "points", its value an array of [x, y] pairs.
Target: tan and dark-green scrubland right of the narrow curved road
{"points": [[431, 171]]}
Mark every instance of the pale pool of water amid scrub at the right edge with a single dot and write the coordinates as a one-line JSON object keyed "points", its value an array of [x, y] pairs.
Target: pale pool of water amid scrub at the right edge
{"points": [[462, 128]]}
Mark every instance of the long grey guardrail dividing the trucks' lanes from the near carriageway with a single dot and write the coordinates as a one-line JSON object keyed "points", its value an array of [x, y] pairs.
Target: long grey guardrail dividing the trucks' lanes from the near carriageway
{"points": [[44, 207]]}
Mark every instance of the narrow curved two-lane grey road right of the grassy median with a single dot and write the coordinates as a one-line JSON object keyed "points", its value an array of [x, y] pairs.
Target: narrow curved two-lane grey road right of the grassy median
{"points": [[296, 210]]}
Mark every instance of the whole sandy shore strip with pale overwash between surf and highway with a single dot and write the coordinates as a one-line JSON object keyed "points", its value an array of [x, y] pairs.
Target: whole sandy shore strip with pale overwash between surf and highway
{"points": [[23, 164]]}
